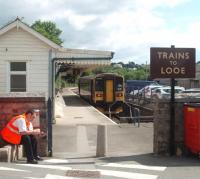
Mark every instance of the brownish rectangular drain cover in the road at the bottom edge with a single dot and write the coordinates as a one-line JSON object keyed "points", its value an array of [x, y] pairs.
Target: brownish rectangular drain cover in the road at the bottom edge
{"points": [[83, 173]]}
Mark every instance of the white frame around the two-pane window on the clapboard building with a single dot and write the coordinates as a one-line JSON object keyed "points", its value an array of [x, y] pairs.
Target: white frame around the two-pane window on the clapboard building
{"points": [[17, 73]]}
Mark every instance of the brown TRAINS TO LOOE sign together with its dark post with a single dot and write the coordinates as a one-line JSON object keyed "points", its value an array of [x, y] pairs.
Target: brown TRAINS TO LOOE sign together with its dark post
{"points": [[172, 63]]}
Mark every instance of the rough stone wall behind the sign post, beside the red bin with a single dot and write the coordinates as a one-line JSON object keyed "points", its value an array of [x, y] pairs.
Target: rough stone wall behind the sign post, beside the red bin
{"points": [[162, 126]]}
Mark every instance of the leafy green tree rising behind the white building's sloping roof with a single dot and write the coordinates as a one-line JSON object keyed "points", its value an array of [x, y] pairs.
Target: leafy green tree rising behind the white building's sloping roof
{"points": [[49, 30]]}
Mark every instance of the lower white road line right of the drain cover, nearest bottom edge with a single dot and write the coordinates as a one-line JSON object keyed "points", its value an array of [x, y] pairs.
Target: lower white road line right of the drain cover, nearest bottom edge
{"points": [[127, 175]]}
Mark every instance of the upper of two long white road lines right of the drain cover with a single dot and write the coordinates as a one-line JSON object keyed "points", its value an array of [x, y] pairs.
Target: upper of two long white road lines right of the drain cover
{"points": [[136, 166]]}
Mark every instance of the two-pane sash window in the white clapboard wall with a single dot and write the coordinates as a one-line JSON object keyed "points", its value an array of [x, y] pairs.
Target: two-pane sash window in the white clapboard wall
{"points": [[18, 76]]}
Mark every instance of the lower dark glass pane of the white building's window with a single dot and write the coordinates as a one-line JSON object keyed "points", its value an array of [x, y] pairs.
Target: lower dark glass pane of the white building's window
{"points": [[18, 83]]}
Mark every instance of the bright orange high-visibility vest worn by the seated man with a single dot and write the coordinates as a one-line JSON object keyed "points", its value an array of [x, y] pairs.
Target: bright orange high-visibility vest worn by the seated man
{"points": [[11, 133]]}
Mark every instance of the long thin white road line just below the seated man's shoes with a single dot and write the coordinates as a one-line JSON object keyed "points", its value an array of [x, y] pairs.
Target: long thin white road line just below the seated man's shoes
{"points": [[54, 167]]}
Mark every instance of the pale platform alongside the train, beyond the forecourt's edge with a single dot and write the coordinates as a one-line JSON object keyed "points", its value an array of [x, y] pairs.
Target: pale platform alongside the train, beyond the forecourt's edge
{"points": [[76, 111]]}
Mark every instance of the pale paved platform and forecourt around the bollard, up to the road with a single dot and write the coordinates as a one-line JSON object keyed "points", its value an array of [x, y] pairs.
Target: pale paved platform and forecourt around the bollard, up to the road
{"points": [[75, 132]]}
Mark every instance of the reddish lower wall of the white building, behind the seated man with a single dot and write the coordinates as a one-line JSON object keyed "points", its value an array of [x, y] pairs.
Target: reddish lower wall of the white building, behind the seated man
{"points": [[12, 106]]}
